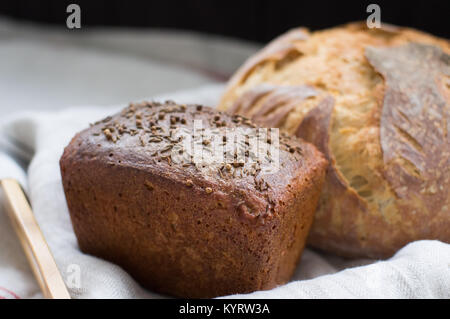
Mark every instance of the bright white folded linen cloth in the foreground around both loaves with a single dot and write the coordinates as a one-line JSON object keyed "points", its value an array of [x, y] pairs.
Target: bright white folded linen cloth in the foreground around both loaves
{"points": [[419, 270]]}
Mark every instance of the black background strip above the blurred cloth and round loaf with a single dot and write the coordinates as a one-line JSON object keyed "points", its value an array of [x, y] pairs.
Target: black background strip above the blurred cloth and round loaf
{"points": [[252, 20]]}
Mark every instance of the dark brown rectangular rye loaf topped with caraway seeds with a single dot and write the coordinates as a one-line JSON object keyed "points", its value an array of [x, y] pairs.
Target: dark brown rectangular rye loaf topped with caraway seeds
{"points": [[187, 228]]}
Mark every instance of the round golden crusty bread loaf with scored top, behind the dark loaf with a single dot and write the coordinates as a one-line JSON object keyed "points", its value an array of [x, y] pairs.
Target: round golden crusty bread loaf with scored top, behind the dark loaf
{"points": [[376, 103]]}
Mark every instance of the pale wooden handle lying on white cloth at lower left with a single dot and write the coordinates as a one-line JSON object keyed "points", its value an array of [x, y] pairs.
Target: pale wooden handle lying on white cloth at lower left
{"points": [[33, 242]]}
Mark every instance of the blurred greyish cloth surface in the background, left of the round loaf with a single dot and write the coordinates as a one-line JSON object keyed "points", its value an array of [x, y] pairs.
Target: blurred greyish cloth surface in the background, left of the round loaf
{"points": [[48, 68]]}
